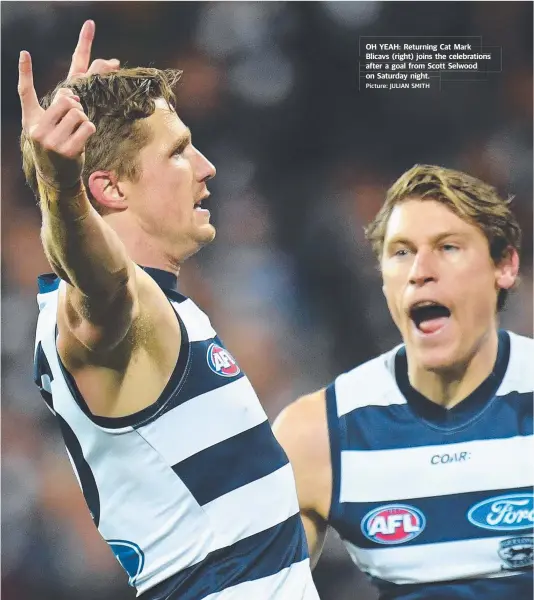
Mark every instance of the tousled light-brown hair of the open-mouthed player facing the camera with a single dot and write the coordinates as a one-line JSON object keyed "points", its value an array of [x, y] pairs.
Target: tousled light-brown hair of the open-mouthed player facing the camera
{"points": [[469, 198]]}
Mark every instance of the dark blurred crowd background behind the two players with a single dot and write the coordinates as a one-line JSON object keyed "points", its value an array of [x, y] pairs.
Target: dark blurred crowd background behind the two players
{"points": [[270, 91]]}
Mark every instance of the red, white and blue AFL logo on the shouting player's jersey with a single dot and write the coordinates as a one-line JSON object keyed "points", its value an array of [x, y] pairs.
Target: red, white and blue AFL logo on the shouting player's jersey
{"points": [[393, 524]]}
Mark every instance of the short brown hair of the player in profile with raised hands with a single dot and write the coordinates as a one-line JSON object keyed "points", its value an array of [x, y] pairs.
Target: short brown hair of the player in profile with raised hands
{"points": [[116, 103]]}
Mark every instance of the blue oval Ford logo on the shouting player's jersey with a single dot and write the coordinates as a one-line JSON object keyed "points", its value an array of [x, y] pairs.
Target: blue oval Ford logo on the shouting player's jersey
{"points": [[504, 513]]}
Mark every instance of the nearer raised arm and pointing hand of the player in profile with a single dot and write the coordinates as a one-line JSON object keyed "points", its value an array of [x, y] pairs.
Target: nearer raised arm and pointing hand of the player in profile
{"points": [[101, 300]]}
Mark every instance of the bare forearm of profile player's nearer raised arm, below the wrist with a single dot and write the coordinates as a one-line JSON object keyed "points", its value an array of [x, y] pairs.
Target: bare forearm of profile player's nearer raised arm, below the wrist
{"points": [[83, 249]]}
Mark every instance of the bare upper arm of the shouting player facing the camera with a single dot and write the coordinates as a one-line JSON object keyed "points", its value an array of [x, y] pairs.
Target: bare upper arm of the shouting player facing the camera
{"points": [[302, 430]]}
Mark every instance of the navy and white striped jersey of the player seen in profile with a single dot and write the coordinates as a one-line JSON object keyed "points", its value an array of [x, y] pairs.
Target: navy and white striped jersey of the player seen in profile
{"points": [[193, 494]]}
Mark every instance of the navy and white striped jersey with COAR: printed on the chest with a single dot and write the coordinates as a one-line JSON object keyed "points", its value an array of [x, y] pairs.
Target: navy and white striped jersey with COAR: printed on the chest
{"points": [[436, 503]]}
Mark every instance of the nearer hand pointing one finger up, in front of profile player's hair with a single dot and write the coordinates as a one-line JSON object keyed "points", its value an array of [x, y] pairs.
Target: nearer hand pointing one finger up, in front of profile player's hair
{"points": [[58, 134]]}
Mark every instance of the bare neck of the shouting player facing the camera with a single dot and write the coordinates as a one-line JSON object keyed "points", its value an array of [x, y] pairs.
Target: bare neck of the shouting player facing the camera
{"points": [[449, 388]]}
